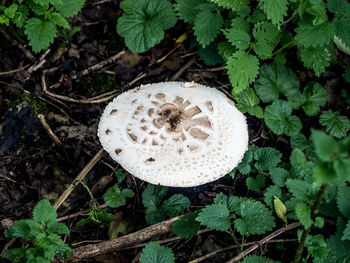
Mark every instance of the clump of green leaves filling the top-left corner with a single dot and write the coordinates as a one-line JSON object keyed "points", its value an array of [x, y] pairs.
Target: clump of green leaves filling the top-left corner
{"points": [[39, 19]]}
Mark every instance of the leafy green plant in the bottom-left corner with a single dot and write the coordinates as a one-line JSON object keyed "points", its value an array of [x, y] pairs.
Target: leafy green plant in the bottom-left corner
{"points": [[42, 234]]}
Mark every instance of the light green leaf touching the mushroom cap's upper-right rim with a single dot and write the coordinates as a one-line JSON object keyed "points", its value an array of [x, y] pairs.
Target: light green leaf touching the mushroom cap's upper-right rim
{"points": [[247, 101]]}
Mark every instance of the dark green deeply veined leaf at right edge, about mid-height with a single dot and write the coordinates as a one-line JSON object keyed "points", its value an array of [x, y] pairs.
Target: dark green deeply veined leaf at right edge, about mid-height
{"points": [[336, 124]]}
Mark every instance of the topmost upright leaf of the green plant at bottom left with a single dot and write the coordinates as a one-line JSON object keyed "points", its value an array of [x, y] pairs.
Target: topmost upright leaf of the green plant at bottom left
{"points": [[44, 213]]}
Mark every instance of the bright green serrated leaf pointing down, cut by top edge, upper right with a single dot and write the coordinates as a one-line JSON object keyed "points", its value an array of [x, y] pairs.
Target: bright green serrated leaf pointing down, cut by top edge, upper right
{"points": [[275, 9]]}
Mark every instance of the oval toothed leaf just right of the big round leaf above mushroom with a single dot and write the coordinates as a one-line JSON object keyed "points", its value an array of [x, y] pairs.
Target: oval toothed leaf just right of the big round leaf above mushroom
{"points": [[207, 26]]}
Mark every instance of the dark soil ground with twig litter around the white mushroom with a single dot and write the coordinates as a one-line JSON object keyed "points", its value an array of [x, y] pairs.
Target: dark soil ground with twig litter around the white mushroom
{"points": [[33, 166]]}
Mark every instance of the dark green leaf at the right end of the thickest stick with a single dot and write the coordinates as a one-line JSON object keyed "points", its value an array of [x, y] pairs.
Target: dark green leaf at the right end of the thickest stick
{"points": [[186, 227]]}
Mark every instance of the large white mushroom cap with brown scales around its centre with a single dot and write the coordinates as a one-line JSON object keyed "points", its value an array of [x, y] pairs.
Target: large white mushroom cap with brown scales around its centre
{"points": [[174, 133]]}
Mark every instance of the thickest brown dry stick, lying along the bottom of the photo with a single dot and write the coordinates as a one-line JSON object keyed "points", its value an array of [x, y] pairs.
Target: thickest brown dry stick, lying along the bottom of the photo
{"points": [[142, 235]]}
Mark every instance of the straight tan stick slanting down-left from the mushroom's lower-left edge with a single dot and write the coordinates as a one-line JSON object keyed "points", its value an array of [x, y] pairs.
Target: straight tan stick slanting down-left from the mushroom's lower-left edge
{"points": [[78, 179]]}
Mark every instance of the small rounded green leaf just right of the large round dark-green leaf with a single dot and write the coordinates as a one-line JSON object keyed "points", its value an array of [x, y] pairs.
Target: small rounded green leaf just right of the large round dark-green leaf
{"points": [[316, 97]]}
